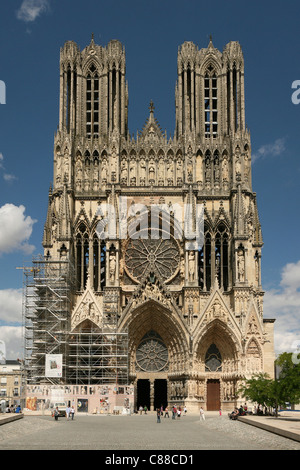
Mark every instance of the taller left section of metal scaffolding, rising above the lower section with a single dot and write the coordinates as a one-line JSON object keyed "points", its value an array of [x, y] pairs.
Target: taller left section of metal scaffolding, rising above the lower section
{"points": [[47, 307]]}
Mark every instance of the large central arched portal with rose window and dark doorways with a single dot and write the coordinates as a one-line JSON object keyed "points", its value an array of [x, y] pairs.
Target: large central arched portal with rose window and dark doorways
{"points": [[158, 349]]}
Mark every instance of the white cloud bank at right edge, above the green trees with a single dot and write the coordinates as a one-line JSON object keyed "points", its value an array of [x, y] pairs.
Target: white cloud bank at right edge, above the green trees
{"points": [[283, 304]]}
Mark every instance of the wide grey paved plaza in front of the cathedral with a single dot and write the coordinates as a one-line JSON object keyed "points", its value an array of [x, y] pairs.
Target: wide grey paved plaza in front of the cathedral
{"points": [[141, 433]]}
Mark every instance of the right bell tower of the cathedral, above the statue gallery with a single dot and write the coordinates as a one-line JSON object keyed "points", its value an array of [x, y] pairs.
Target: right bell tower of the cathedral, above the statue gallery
{"points": [[210, 98]]}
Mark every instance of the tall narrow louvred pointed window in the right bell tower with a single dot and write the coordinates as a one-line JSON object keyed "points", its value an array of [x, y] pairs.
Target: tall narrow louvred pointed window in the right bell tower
{"points": [[211, 103]]}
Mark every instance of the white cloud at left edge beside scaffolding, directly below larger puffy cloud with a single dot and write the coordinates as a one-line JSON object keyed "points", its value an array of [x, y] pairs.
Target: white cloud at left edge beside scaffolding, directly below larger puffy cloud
{"points": [[11, 305]]}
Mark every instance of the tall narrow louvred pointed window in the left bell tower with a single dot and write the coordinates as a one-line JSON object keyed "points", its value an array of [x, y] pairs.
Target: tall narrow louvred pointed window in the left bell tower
{"points": [[92, 102]]}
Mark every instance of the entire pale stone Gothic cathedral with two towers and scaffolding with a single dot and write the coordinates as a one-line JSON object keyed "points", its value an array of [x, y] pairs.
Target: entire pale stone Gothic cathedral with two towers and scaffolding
{"points": [[123, 296]]}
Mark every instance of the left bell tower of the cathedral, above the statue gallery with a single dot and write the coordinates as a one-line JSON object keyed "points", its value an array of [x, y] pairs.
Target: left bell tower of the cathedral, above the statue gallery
{"points": [[93, 91]]}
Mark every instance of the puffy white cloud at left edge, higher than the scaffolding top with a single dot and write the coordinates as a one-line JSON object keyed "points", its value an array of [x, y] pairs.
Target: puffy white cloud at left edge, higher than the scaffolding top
{"points": [[15, 229]]}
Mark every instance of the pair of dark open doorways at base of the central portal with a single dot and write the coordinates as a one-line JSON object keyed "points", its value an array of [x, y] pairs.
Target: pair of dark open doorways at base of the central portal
{"points": [[153, 395]]}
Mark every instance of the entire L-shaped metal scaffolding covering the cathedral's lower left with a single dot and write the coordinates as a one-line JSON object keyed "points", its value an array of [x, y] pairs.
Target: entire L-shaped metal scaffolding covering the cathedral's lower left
{"points": [[90, 356]]}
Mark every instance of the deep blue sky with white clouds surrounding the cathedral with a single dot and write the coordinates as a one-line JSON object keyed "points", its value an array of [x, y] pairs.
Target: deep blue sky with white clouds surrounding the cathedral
{"points": [[31, 34]]}
